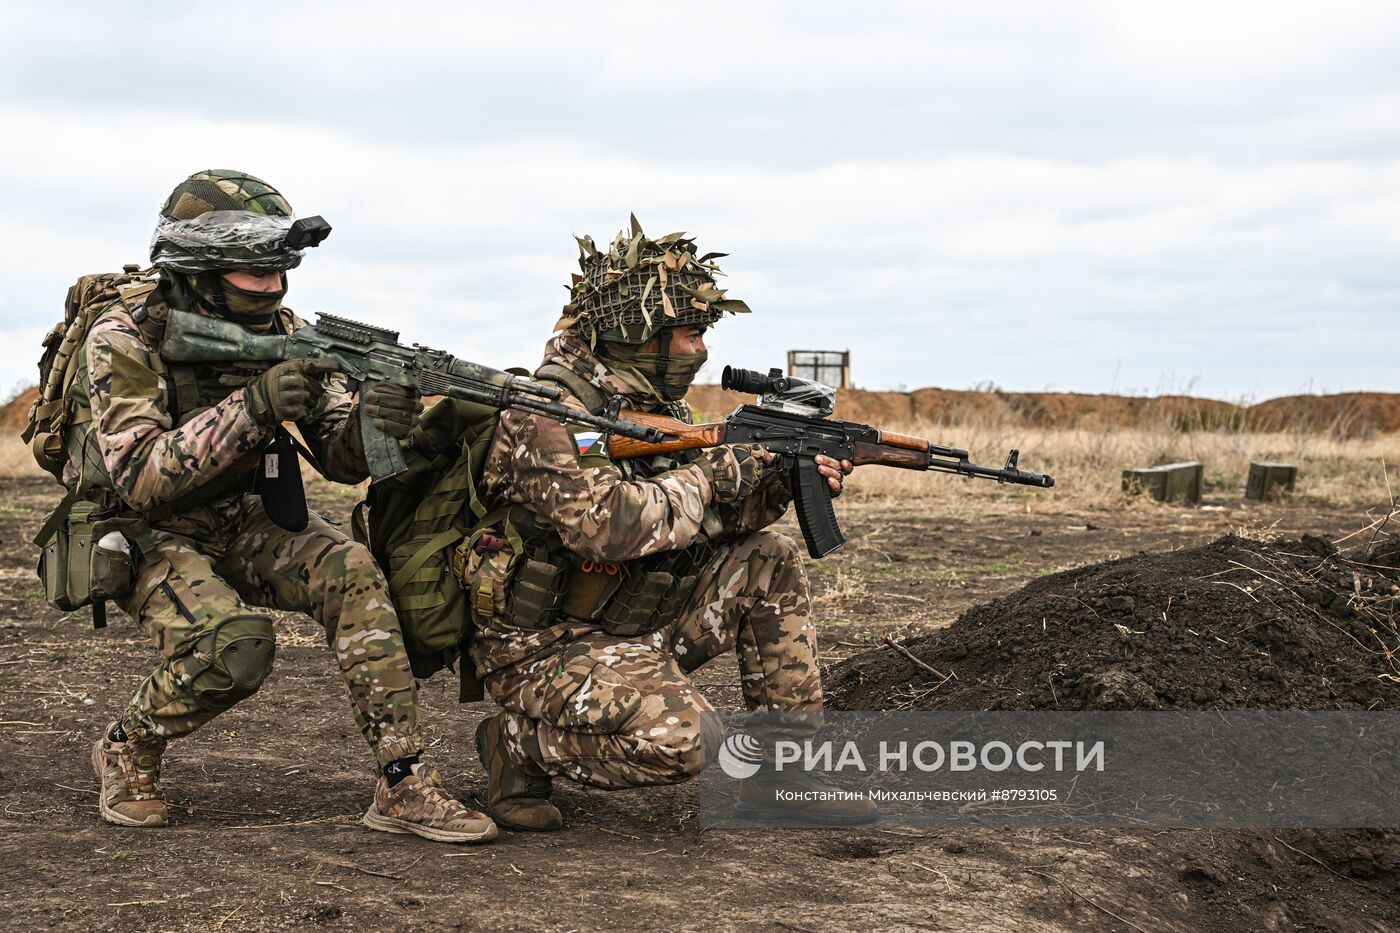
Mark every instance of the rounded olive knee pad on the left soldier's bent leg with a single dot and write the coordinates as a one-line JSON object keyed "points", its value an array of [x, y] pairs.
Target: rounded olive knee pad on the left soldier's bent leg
{"points": [[234, 658]]}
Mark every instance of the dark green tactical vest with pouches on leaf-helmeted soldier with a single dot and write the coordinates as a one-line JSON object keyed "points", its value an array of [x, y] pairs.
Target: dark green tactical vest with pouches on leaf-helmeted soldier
{"points": [[631, 599]]}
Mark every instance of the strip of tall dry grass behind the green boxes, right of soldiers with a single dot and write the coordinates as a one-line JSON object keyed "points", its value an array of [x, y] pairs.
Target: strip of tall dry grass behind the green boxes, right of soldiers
{"points": [[1088, 464]]}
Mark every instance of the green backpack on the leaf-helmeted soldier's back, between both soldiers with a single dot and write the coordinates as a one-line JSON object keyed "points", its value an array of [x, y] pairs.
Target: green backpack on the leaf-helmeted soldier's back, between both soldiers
{"points": [[414, 523]]}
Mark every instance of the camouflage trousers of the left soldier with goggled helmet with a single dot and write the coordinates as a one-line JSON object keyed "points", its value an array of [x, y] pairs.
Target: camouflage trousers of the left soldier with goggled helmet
{"points": [[195, 602]]}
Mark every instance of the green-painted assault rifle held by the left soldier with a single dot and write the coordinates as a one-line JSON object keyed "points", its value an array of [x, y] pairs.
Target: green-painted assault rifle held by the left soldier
{"points": [[369, 355]]}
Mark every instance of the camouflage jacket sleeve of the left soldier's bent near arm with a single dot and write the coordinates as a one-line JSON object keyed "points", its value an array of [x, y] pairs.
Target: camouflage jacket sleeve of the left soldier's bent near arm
{"points": [[150, 460]]}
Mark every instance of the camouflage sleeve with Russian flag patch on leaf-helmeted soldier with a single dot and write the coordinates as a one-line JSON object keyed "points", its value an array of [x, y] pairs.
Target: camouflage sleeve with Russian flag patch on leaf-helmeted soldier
{"points": [[535, 462]]}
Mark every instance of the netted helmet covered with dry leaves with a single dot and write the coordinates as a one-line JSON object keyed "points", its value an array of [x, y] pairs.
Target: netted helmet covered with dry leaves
{"points": [[640, 286]]}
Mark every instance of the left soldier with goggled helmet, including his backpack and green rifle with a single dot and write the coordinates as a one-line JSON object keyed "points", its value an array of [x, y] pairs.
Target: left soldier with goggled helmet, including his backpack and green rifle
{"points": [[185, 505]]}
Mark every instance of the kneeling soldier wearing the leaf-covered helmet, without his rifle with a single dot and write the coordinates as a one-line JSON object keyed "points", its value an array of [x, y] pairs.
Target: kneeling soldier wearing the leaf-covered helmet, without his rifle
{"points": [[598, 586]]}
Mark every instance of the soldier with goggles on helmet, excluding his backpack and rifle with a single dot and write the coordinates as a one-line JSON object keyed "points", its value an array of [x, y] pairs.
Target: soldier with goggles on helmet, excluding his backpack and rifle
{"points": [[180, 448]]}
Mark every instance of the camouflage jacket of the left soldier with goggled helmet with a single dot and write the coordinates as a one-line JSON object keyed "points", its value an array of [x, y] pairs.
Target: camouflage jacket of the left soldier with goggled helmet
{"points": [[155, 463]]}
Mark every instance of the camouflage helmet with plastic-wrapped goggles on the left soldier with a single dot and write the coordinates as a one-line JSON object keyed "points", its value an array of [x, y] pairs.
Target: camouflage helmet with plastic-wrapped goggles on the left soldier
{"points": [[220, 219]]}
